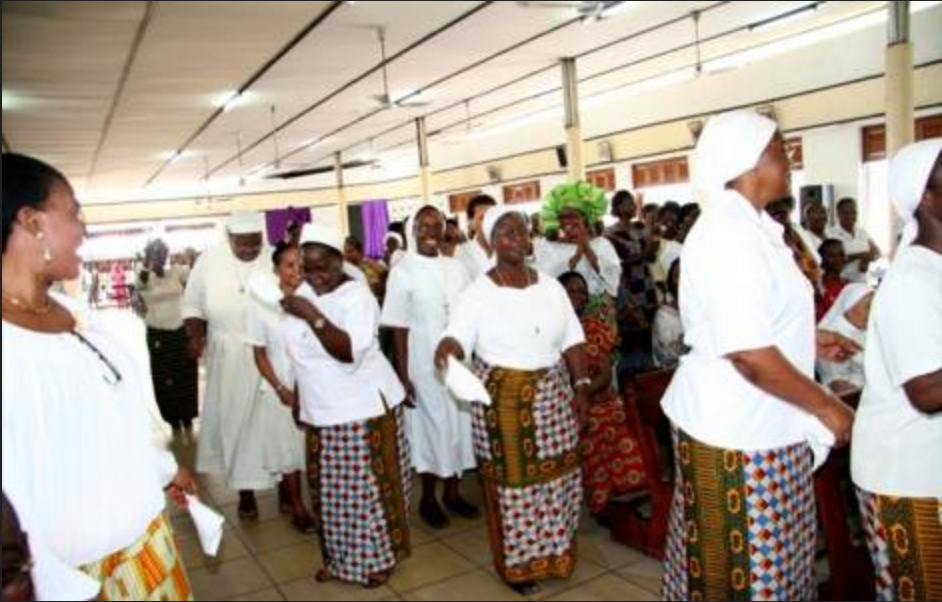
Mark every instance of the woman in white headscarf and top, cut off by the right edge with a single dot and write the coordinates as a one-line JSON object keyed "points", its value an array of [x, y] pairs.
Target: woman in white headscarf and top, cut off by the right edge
{"points": [[898, 432]]}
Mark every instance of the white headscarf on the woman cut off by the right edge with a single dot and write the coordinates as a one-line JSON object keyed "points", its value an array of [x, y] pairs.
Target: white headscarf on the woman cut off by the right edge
{"points": [[909, 174]]}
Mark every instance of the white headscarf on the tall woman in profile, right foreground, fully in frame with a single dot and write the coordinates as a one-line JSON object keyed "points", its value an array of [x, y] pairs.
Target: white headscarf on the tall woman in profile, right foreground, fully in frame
{"points": [[729, 146]]}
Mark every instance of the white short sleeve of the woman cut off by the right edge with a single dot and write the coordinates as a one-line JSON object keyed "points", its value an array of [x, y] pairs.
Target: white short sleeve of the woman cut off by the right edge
{"points": [[910, 352]]}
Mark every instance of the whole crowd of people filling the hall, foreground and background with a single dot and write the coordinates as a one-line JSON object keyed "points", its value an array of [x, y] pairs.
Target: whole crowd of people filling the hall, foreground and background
{"points": [[325, 364]]}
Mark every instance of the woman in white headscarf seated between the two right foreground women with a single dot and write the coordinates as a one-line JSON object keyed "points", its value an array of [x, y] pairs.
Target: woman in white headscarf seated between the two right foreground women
{"points": [[848, 317]]}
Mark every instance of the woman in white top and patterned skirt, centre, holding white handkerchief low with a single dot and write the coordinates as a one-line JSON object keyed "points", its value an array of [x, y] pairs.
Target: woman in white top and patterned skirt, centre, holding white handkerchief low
{"points": [[527, 344]]}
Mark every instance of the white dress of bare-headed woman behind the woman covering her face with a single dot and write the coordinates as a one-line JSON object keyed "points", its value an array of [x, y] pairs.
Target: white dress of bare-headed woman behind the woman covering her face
{"points": [[271, 444]]}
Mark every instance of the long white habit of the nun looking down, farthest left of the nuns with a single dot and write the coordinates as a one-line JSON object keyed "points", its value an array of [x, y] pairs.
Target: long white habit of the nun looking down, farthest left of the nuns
{"points": [[216, 292]]}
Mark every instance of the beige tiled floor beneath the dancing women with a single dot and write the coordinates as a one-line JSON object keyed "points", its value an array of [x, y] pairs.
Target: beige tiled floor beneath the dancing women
{"points": [[268, 560]]}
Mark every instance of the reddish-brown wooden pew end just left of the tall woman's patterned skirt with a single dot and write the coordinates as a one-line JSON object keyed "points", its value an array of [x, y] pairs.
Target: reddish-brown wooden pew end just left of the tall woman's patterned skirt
{"points": [[630, 526]]}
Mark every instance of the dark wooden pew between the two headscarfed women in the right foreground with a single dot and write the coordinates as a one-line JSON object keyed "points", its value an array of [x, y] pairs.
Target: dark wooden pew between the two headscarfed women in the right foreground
{"points": [[850, 566]]}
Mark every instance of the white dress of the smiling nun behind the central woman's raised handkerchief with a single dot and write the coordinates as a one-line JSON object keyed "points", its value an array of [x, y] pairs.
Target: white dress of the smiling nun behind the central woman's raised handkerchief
{"points": [[419, 295]]}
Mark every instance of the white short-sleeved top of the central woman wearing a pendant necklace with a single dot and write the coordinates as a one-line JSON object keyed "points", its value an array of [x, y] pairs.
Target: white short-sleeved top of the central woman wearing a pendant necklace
{"points": [[521, 329]]}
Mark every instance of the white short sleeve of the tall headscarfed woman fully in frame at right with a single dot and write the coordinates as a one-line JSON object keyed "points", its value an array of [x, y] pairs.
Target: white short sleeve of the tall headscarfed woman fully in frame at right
{"points": [[736, 286]]}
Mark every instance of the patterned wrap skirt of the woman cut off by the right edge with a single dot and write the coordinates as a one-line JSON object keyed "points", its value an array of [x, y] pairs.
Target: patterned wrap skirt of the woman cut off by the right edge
{"points": [[905, 540]]}
